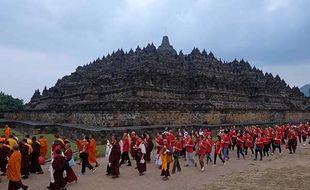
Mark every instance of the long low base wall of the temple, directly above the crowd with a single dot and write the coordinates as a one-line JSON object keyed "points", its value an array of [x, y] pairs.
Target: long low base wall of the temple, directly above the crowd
{"points": [[119, 119]]}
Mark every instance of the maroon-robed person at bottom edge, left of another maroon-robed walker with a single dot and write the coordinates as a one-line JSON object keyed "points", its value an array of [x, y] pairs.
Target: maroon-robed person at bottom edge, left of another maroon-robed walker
{"points": [[59, 167]]}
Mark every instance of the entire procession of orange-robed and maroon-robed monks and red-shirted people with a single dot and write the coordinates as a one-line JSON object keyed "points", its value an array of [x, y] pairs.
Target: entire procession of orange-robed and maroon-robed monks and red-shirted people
{"points": [[21, 158]]}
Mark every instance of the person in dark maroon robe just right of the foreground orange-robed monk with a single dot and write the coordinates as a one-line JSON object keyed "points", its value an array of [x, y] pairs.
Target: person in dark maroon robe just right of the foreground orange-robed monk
{"points": [[25, 163]]}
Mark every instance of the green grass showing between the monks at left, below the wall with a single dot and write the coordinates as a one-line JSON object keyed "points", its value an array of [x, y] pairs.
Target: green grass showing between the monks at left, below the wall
{"points": [[50, 139]]}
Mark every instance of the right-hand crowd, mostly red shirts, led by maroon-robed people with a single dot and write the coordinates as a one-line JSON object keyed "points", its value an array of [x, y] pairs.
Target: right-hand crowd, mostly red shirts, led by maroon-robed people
{"points": [[207, 145]]}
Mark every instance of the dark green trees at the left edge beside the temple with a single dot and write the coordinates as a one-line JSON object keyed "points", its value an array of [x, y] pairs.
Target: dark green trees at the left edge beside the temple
{"points": [[8, 103]]}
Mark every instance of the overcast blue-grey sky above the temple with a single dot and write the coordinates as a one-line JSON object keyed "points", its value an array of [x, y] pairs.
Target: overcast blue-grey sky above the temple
{"points": [[43, 40]]}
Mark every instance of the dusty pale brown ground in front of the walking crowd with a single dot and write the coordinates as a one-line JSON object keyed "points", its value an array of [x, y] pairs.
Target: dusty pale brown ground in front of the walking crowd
{"points": [[275, 172]]}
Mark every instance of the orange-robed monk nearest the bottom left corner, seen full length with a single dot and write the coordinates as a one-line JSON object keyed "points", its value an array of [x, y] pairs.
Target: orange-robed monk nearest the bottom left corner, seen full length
{"points": [[13, 170]]}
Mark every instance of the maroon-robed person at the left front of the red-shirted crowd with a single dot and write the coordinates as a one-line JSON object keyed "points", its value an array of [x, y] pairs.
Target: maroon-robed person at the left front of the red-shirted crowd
{"points": [[114, 158]]}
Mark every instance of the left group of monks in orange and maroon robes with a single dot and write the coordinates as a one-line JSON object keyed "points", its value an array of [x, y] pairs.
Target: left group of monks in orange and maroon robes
{"points": [[21, 158]]}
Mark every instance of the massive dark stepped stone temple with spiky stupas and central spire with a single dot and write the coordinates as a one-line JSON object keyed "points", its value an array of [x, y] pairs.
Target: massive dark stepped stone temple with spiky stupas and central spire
{"points": [[158, 86]]}
